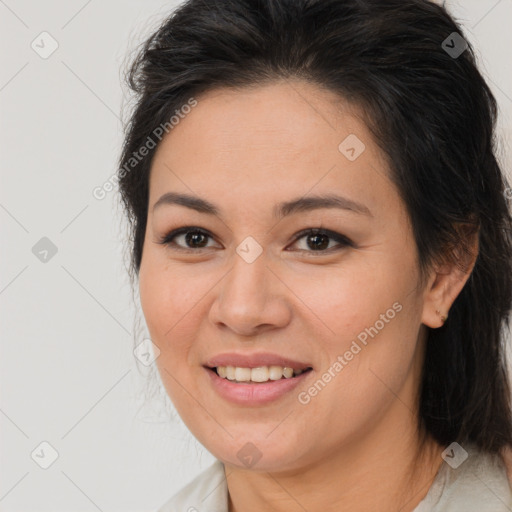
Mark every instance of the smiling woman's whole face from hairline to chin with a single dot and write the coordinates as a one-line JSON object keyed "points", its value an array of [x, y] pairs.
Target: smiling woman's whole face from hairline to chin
{"points": [[249, 283]]}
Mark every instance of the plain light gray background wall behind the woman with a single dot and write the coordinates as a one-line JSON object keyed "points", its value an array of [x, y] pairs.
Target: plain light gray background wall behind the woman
{"points": [[68, 374]]}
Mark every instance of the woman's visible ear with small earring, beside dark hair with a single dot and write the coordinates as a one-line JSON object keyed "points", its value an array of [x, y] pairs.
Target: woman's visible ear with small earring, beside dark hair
{"points": [[449, 277]]}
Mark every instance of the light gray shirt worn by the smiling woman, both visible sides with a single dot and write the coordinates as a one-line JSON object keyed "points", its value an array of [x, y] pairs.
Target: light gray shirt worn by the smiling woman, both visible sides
{"points": [[479, 484]]}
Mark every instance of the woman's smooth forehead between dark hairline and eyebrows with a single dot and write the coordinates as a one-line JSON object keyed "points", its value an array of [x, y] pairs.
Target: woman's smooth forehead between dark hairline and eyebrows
{"points": [[267, 139]]}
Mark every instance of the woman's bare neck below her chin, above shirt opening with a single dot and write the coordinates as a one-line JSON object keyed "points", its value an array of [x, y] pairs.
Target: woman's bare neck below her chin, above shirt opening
{"points": [[375, 474]]}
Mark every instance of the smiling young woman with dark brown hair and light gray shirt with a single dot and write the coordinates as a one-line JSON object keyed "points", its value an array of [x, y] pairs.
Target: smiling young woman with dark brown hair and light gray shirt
{"points": [[323, 247]]}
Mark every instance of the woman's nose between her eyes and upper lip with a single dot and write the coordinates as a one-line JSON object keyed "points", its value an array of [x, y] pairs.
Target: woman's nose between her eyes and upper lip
{"points": [[251, 299]]}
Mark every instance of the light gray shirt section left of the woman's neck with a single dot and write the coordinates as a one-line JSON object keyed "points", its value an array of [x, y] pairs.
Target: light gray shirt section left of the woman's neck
{"points": [[207, 491]]}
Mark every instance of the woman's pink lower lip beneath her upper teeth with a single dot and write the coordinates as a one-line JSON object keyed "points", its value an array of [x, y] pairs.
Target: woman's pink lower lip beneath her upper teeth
{"points": [[257, 393]]}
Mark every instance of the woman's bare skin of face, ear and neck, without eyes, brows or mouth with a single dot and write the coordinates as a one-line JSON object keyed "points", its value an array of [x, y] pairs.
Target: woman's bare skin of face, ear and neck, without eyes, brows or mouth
{"points": [[245, 151]]}
